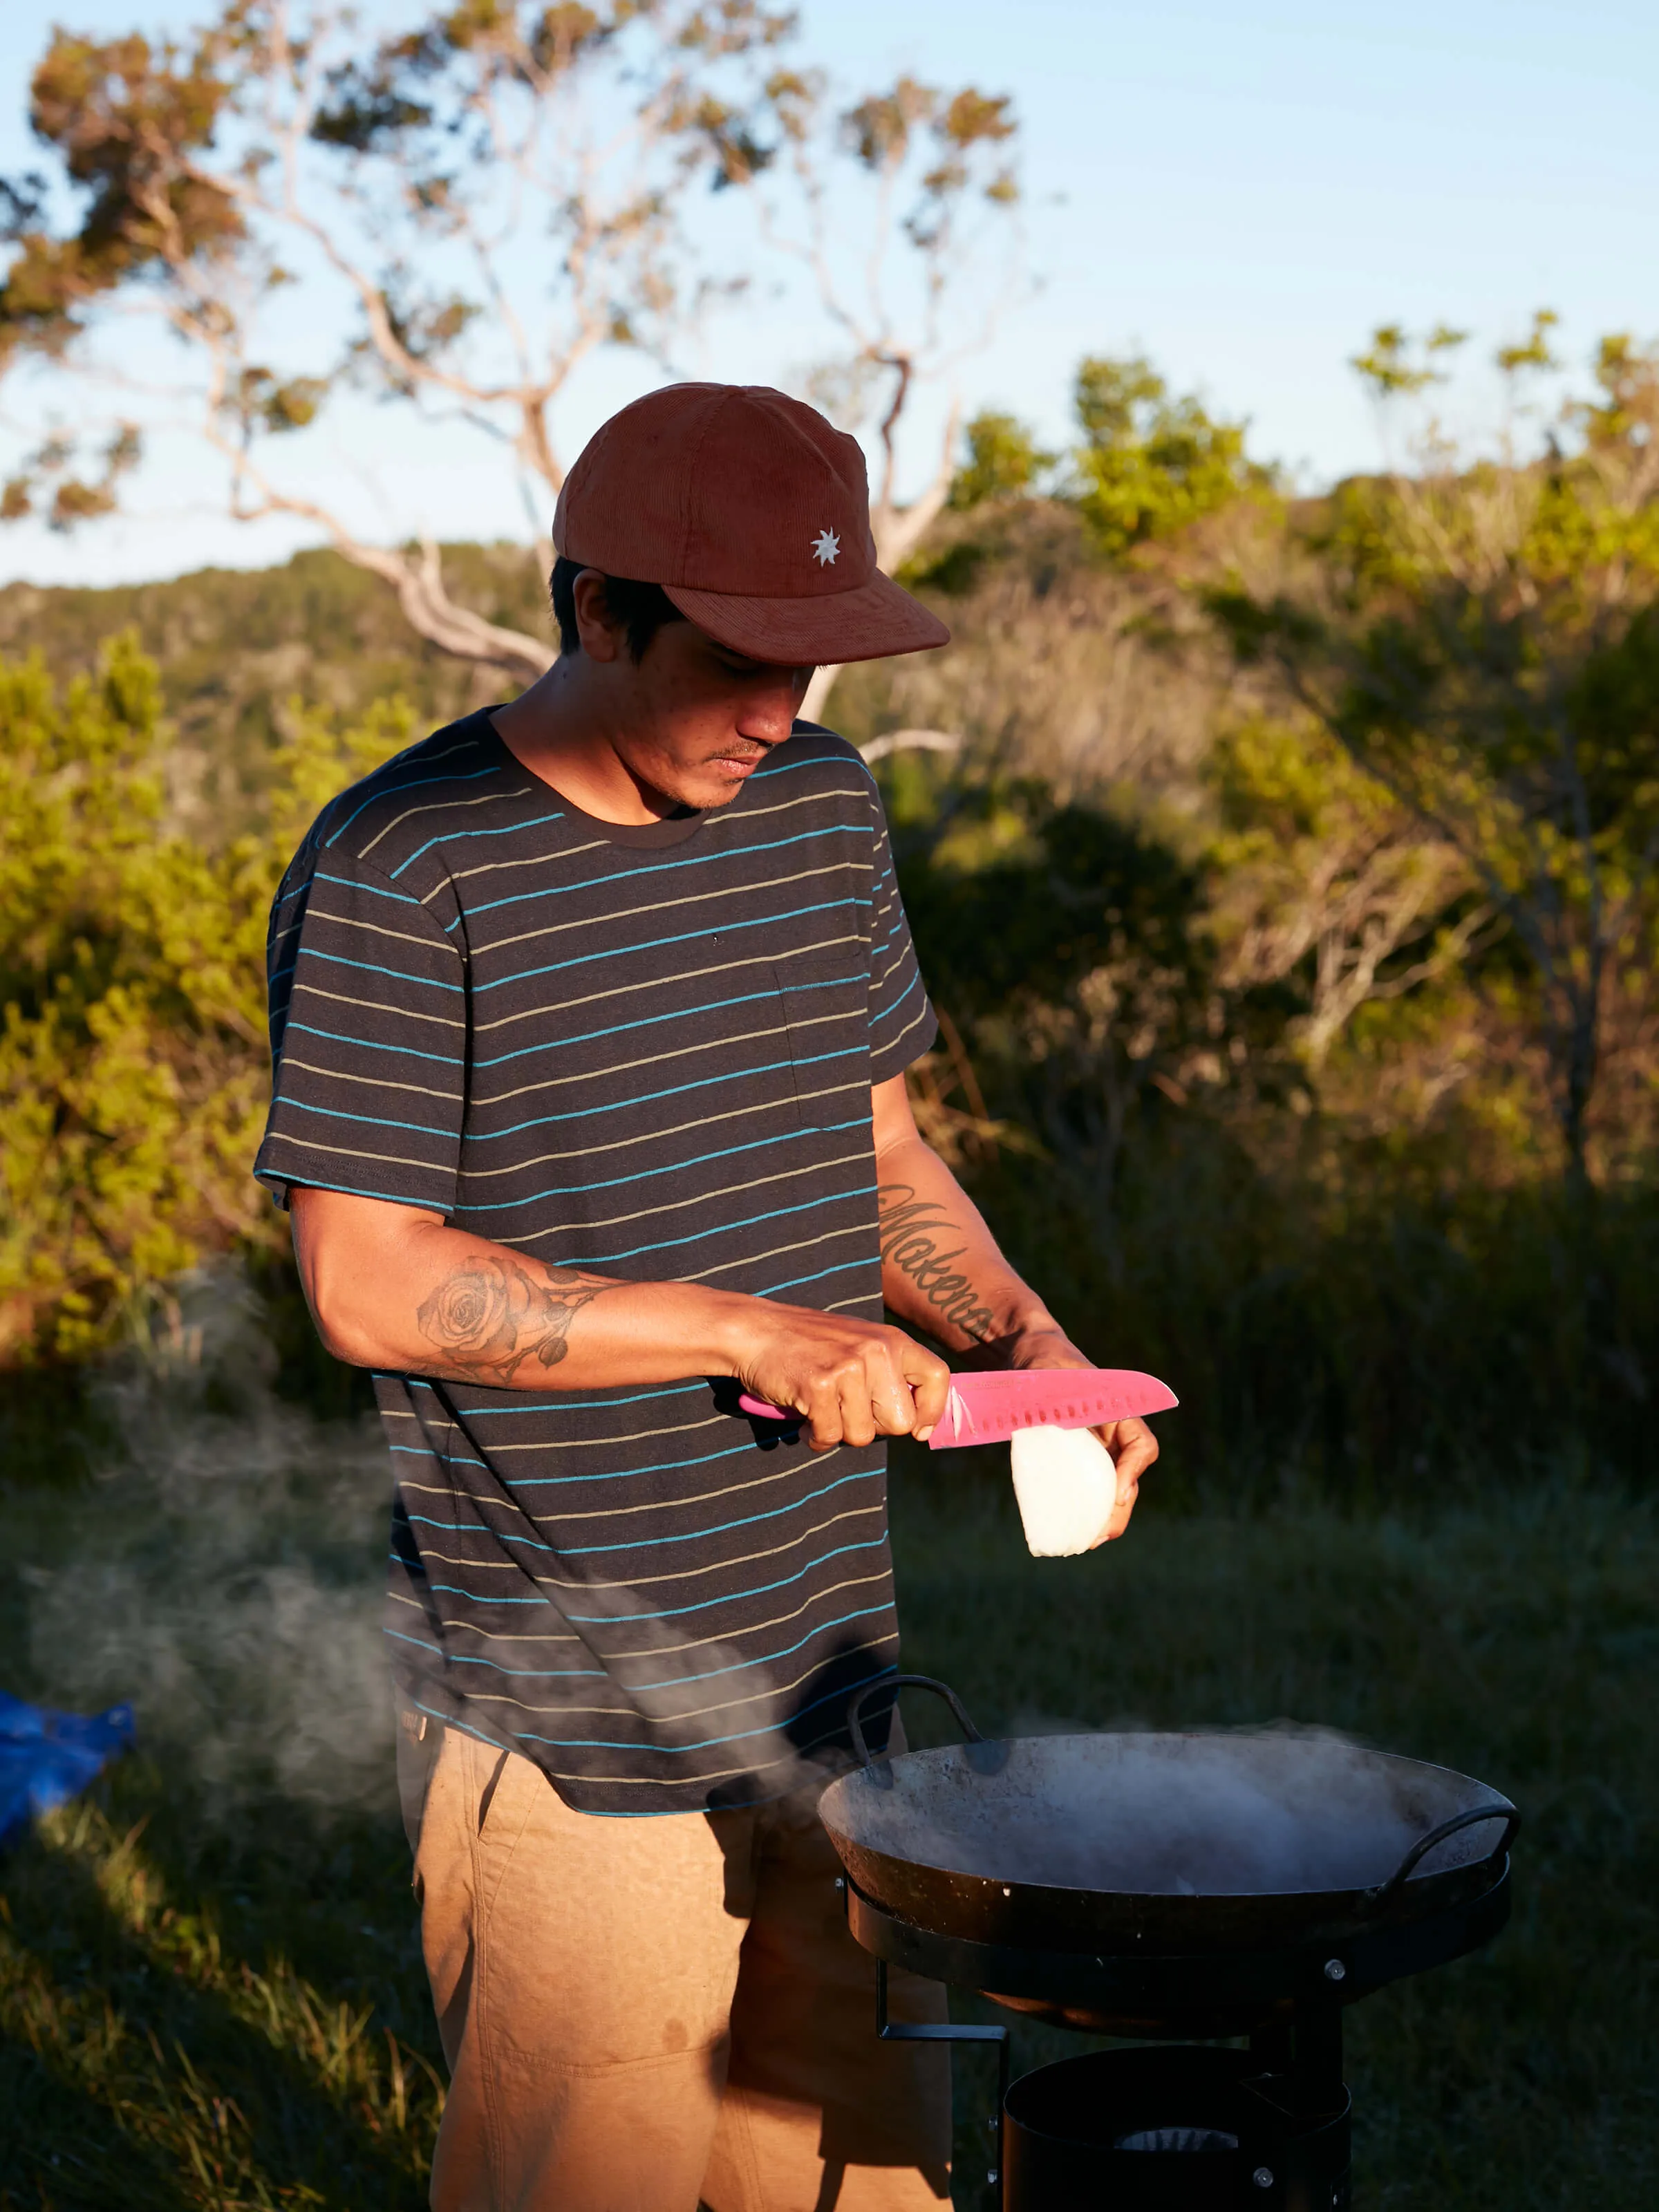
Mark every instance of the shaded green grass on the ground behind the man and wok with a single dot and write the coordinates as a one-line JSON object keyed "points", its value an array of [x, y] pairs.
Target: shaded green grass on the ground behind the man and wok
{"points": [[209, 1983]]}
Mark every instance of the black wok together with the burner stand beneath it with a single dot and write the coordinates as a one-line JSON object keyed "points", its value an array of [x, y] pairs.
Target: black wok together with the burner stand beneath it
{"points": [[1178, 1890]]}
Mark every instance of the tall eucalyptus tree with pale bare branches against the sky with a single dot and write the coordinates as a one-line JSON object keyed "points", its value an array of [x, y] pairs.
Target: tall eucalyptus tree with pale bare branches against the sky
{"points": [[455, 218]]}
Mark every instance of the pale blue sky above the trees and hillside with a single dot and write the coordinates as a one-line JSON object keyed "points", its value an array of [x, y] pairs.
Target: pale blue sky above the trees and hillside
{"points": [[1240, 191]]}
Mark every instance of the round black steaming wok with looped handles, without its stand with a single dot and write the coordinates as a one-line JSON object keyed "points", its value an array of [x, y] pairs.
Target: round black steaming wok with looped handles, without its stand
{"points": [[1160, 1844]]}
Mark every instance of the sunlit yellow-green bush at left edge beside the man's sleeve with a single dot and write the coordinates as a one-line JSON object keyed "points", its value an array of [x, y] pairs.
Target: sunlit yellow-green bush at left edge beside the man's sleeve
{"points": [[134, 1070]]}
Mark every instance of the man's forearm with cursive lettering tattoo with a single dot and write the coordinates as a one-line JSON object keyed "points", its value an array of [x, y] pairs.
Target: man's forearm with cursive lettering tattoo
{"points": [[939, 1262]]}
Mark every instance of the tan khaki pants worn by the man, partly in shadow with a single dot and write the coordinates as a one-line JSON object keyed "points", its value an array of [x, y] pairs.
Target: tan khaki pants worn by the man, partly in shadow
{"points": [[658, 2014]]}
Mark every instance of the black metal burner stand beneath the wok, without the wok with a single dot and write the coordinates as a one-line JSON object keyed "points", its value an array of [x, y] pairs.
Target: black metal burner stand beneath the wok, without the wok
{"points": [[1180, 2127]]}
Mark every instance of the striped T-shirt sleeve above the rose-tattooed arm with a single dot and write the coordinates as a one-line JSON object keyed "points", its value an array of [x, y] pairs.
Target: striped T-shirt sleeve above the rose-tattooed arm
{"points": [[368, 1032]]}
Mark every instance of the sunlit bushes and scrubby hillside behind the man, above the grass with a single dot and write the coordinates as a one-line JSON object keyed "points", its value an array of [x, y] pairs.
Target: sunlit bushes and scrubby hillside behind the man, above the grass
{"points": [[1291, 908]]}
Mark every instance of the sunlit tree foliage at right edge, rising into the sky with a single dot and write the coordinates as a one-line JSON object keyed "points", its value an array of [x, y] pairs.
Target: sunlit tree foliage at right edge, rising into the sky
{"points": [[1481, 636]]}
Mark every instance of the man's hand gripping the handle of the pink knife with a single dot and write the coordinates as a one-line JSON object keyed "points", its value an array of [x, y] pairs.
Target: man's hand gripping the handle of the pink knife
{"points": [[853, 1381]]}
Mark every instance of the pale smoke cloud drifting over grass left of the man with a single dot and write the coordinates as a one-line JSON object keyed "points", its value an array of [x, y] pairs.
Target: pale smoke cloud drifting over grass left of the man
{"points": [[225, 1574]]}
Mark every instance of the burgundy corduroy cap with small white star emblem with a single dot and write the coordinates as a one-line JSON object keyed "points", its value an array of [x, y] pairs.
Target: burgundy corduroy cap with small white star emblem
{"points": [[753, 514]]}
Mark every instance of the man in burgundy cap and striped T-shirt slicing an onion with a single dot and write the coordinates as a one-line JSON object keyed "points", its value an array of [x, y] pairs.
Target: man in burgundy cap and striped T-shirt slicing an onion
{"points": [[592, 1021]]}
